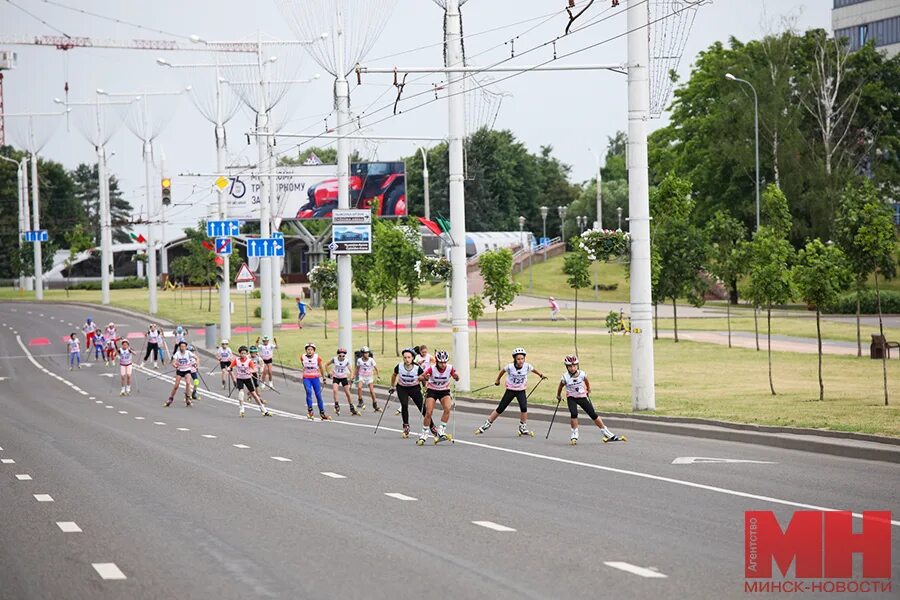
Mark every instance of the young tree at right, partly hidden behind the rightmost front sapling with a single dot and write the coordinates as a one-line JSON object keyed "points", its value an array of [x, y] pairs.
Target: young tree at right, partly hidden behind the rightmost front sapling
{"points": [[848, 224]]}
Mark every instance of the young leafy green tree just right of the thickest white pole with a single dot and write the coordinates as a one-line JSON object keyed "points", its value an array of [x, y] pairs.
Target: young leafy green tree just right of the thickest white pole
{"points": [[680, 244]]}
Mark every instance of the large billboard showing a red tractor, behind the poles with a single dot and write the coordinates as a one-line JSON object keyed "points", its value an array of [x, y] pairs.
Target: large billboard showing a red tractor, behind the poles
{"points": [[311, 192]]}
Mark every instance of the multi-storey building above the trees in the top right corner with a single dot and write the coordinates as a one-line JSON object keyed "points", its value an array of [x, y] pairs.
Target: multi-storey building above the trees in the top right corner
{"points": [[863, 20]]}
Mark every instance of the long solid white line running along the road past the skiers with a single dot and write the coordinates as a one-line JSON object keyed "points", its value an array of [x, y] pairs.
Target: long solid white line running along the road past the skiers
{"points": [[650, 476]]}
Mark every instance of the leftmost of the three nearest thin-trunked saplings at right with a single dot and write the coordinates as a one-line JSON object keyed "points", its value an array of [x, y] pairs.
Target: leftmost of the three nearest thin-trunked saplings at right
{"points": [[769, 261]]}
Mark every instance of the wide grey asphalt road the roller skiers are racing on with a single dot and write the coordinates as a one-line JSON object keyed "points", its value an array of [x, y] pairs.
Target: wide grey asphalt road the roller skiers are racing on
{"points": [[197, 503]]}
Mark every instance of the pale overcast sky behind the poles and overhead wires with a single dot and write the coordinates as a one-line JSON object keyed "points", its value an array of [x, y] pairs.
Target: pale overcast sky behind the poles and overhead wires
{"points": [[572, 111]]}
